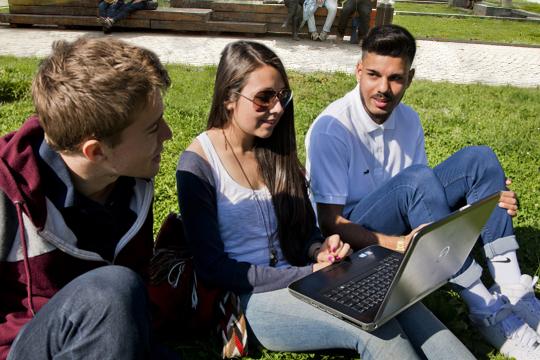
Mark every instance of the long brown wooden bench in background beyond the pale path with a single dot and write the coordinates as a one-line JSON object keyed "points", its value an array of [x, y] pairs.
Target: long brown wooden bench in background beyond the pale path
{"points": [[237, 16]]}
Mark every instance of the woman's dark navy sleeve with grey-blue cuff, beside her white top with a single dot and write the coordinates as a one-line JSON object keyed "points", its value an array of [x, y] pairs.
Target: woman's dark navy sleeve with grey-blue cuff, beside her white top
{"points": [[198, 206]]}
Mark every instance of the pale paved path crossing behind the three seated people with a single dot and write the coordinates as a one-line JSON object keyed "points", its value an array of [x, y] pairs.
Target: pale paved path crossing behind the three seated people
{"points": [[438, 61]]}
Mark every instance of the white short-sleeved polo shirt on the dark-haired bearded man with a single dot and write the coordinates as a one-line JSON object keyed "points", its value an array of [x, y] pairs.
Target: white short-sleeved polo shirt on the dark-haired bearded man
{"points": [[349, 155]]}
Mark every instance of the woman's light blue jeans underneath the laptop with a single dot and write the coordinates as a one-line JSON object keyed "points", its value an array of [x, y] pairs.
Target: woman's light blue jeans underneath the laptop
{"points": [[281, 322]]}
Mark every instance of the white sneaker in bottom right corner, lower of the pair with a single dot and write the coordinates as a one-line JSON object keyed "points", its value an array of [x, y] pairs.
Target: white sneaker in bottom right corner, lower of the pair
{"points": [[508, 333]]}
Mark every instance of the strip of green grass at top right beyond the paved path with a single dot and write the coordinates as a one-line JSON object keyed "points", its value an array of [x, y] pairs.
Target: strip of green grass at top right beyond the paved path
{"points": [[475, 29]]}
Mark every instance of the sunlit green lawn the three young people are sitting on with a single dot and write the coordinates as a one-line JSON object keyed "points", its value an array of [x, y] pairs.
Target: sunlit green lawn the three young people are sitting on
{"points": [[453, 116]]}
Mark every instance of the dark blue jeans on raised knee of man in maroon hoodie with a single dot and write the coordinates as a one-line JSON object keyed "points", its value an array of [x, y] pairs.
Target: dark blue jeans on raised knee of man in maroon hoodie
{"points": [[102, 314]]}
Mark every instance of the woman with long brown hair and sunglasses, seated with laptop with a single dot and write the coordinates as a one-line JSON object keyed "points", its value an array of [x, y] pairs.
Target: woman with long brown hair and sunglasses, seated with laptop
{"points": [[250, 224]]}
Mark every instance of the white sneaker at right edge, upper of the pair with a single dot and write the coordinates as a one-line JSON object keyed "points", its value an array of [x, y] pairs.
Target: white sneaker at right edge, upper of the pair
{"points": [[524, 302]]}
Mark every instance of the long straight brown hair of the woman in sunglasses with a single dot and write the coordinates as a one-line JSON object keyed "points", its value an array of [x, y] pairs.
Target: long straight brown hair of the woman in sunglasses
{"points": [[276, 155]]}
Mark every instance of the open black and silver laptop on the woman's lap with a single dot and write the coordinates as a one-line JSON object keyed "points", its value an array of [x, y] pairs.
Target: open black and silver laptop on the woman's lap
{"points": [[375, 284]]}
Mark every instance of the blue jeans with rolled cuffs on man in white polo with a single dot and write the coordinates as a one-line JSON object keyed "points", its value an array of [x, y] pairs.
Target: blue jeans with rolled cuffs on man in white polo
{"points": [[419, 195]]}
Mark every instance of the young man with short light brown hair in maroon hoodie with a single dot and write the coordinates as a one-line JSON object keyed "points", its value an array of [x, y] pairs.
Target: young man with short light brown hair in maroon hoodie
{"points": [[76, 205]]}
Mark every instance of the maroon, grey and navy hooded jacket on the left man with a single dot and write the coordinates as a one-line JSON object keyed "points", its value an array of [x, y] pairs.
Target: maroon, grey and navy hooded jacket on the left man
{"points": [[38, 252]]}
